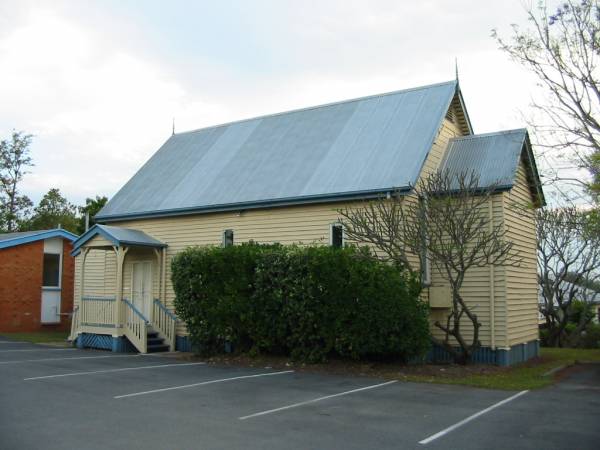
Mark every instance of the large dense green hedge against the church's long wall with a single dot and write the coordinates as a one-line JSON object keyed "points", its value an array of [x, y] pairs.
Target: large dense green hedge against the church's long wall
{"points": [[307, 302]]}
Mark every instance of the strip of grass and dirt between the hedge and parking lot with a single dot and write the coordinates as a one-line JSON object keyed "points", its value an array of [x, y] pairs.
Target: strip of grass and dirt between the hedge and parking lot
{"points": [[532, 374]]}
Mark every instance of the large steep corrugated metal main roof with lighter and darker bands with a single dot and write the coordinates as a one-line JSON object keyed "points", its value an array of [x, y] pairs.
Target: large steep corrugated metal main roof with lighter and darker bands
{"points": [[354, 147]]}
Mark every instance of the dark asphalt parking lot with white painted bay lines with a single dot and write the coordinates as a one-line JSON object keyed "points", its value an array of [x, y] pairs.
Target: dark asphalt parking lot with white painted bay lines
{"points": [[82, 399]]}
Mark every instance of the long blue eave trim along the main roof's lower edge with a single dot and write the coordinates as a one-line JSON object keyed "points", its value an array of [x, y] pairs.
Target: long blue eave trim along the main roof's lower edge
{"points": [[290, 201]]}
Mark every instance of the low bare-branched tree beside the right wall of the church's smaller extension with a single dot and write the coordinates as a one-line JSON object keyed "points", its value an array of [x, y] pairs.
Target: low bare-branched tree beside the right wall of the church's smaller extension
{"points": [[568, 258]]}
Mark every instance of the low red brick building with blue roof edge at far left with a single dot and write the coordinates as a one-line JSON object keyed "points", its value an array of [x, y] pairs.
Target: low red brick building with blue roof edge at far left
{"points": [[36, 280]]}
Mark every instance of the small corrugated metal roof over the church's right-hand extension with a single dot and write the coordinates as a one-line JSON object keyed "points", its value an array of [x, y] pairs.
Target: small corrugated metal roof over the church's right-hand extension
{"points": [[493, 157]]}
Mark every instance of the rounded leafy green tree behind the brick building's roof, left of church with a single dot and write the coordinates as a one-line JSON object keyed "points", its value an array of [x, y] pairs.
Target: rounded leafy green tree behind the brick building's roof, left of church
{"points": [[54, 211]]}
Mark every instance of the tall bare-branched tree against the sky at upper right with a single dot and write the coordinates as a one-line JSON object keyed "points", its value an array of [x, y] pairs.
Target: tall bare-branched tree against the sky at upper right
{"points": [[561, 49]]}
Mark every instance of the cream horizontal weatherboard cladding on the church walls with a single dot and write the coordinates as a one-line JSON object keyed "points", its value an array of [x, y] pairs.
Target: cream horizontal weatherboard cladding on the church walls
{"points": [[504, 299]]}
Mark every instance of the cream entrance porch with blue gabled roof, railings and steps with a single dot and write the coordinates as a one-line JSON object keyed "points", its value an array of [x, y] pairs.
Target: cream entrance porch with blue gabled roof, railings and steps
{"points": [[126, 313]]}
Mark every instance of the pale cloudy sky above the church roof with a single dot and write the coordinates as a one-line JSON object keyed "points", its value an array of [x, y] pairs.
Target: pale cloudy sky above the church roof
{"points": [[98, 83]]}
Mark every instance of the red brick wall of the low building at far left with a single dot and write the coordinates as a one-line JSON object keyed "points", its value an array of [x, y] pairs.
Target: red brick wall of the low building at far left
{"points": [[21, 288]]}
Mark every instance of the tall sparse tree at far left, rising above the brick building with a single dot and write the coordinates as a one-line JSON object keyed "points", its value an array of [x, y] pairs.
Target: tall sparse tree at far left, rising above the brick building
{"points": [[14, 160]]}
